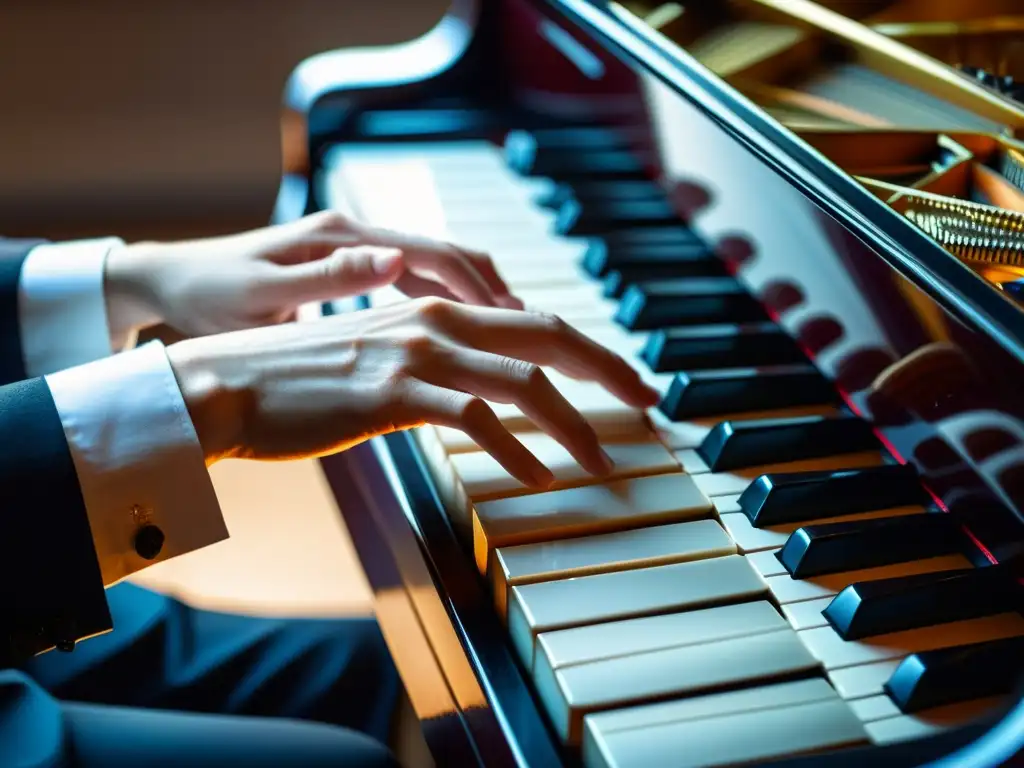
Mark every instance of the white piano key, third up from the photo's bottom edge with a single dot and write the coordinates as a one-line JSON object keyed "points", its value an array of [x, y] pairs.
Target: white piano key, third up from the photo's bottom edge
{"points": [[579, 690]]}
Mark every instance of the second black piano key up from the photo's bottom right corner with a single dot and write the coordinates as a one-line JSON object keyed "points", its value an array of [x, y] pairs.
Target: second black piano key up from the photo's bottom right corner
{"points": [[886, 606]]}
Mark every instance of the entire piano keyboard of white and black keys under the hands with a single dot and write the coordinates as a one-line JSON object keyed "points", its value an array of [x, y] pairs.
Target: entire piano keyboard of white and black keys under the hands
{"points": [[759, 578]]}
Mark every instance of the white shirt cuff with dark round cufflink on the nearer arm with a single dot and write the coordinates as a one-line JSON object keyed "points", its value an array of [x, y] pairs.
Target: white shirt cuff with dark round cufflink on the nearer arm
{"points": [[138, 457]]}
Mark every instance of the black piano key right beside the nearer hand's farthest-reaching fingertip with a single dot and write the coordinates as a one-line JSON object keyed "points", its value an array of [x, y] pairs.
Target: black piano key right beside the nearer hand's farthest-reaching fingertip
{"points": [[700, 394]]}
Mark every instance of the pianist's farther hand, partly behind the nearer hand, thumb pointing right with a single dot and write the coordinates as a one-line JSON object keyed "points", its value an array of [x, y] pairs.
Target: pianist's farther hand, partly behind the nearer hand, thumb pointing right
{"points": [[261, 278]]}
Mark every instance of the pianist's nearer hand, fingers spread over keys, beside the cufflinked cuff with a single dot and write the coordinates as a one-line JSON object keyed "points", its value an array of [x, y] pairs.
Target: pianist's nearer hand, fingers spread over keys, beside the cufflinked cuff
{"points": [[309, 390]]}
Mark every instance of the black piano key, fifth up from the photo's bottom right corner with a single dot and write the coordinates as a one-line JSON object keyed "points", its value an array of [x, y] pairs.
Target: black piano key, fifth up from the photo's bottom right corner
{"points": [[738, 445]]}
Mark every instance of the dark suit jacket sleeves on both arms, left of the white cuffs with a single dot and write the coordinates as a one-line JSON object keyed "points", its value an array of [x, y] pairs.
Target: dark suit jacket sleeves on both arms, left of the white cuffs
{"points": [[52, 591]]}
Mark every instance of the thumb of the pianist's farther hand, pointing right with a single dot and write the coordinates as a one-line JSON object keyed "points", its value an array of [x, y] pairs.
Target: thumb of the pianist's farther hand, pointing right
{"points": [[348, 272]]}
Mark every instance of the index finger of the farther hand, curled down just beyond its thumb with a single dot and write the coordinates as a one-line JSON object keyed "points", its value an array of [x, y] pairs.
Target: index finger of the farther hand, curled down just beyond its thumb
{"points": [[453, 268]]}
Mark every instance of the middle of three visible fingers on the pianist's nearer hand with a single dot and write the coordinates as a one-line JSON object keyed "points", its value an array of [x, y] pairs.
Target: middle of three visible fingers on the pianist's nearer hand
{"points": [[524, 385]]}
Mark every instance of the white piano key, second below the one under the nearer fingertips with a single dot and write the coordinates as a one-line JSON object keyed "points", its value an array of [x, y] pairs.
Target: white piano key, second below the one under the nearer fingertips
{"points": [[656, 545]]}
